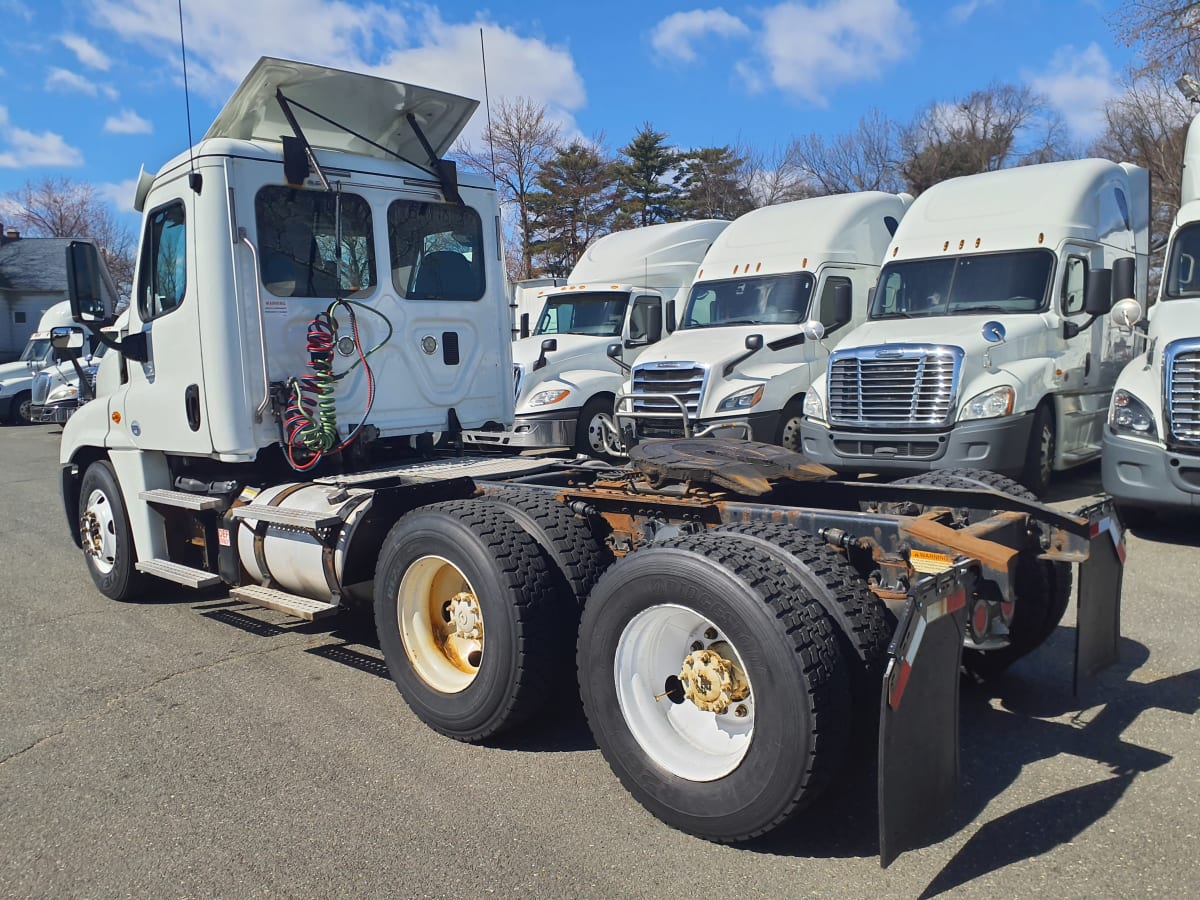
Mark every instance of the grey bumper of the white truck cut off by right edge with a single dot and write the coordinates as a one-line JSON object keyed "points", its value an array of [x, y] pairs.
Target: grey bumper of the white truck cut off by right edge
{"points": [[1138, 475]]}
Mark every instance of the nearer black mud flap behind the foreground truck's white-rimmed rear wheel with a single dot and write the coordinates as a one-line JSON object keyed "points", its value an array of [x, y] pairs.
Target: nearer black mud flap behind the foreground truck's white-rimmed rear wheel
{"points": [[920, 715]]}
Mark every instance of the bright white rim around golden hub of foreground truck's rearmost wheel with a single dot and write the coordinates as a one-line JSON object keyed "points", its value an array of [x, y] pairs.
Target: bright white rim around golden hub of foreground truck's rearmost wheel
{"points": [[682, 739]]}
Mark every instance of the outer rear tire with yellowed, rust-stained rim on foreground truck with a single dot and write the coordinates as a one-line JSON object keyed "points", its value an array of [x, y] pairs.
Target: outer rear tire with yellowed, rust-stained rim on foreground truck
{"points": [[464, 608]]}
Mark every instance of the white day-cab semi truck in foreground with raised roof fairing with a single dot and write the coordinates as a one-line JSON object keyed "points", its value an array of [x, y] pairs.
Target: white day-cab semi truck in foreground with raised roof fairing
{"points": [[305, 305]]}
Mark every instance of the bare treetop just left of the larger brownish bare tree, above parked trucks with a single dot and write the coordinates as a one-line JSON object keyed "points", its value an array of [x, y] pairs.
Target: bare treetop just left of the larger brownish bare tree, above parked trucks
{"points": [[860, 160]]}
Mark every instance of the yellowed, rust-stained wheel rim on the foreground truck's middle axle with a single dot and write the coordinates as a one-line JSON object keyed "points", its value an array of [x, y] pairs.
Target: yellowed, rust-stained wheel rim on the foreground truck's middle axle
{"points": [[441, 625]]}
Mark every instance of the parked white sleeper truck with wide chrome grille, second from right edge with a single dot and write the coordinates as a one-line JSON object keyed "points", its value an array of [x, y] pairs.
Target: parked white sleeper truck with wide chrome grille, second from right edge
{"points": [[987, 344]]}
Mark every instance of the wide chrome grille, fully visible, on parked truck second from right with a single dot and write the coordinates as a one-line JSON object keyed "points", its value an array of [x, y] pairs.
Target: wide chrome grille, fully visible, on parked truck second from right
{"points": [[909, 386]]}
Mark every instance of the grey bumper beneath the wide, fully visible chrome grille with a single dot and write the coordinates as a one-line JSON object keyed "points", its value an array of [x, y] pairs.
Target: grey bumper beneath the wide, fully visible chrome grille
{"points": [[994, 445]]}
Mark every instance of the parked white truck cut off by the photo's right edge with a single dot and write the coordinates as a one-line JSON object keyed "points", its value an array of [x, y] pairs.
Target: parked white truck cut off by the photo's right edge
{"points": [[1151, 458]]}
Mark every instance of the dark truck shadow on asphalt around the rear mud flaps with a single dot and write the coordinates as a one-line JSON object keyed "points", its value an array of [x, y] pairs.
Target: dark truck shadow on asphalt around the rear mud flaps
{"points": [[1006, 728]]}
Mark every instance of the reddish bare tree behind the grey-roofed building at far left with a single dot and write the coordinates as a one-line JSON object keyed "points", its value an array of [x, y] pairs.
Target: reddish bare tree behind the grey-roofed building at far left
{"points": [[62, 208]]}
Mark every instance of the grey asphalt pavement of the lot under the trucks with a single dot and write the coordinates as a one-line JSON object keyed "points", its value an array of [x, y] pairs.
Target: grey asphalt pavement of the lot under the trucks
{"points": [[195, 747]]}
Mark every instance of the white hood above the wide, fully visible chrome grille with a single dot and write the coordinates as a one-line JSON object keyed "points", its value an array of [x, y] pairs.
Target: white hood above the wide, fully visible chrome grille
{"points": [[965, 332]]}
